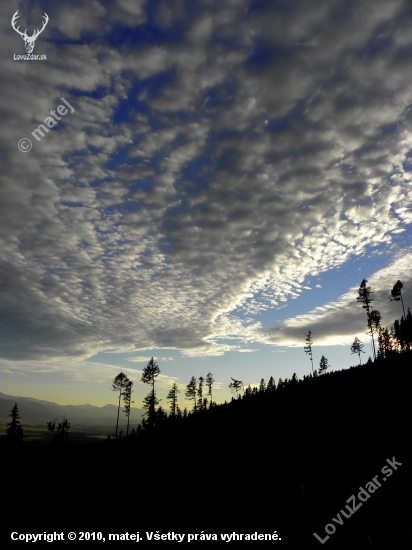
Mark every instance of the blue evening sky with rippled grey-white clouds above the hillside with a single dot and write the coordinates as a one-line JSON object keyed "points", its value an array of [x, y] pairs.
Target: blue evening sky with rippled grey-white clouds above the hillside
{"points": [[223, 177]]}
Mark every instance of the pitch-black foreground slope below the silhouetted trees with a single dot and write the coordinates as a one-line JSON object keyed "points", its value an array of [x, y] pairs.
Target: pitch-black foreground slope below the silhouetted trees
{"points": [[286, 461]]}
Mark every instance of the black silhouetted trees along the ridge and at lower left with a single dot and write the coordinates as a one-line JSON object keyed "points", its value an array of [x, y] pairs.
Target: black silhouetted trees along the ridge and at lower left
{"points": [[390, 342]]}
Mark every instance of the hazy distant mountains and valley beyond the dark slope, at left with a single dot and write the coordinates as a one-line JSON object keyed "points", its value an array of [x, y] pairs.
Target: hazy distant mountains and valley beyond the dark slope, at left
{"points": [[37, 411]]}
